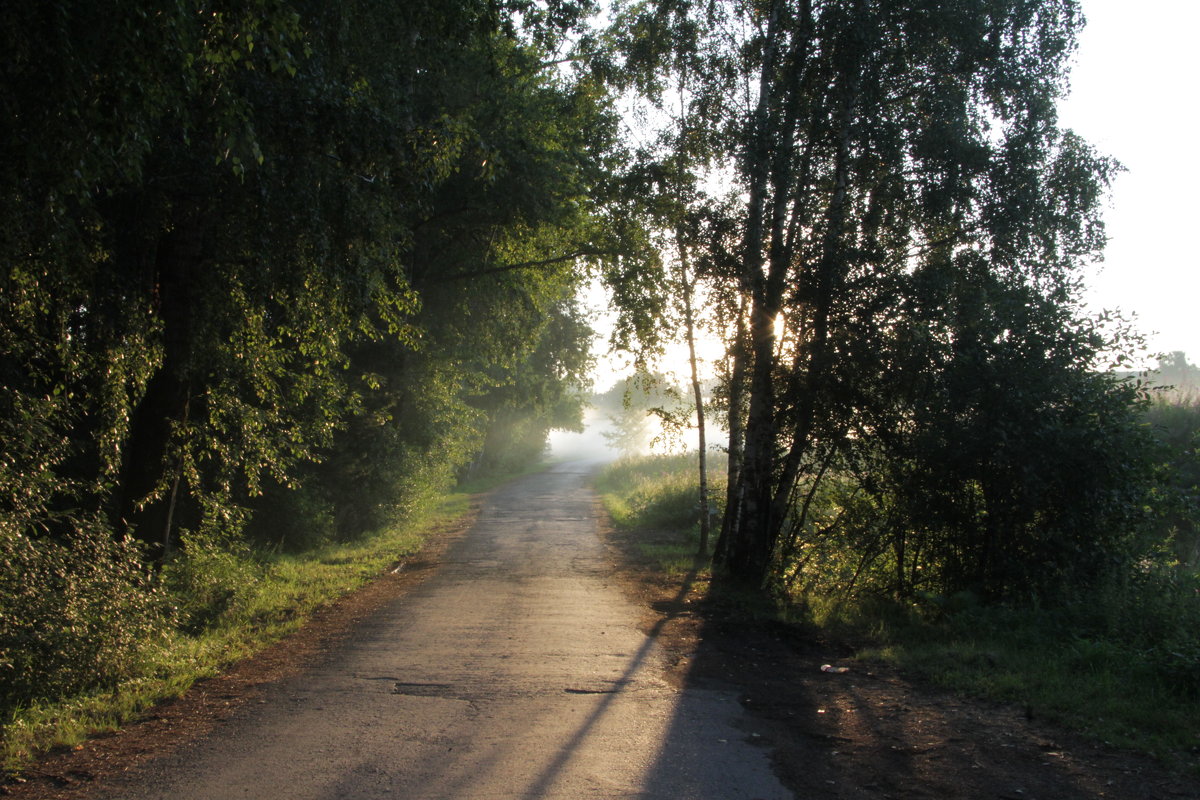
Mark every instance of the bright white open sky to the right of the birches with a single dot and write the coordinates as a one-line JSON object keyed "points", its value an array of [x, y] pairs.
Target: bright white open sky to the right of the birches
{"points": [[1135, 97]]}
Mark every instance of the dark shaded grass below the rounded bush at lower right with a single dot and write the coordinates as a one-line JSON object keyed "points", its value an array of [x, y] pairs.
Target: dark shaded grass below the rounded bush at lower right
{"points": [[1111, 687]]}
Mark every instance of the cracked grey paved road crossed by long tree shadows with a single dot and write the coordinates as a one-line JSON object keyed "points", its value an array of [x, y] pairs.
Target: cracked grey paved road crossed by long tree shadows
{"points": [[517, 671]]}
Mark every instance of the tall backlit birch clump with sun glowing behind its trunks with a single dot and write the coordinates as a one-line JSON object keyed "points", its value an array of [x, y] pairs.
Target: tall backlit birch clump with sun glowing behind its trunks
{"points": [[879, 146]]}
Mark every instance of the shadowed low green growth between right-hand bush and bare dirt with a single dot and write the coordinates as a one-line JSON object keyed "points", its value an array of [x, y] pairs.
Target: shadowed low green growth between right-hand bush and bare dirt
{"points": [[1120, 665]]}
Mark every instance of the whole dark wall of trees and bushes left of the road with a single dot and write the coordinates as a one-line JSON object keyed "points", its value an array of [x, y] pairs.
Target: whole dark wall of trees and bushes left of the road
{"points": [[272, 270]]}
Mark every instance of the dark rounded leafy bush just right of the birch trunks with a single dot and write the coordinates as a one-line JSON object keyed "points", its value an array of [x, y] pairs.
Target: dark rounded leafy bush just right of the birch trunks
{"points": [[1009, 467]]}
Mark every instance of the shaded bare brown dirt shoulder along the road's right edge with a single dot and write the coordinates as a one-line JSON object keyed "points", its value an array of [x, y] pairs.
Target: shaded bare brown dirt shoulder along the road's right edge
{"points": [[872, 732]]}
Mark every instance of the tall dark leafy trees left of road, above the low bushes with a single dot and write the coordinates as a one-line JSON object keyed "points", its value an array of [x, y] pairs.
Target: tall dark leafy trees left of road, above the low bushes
{"points": [[283, 190]]}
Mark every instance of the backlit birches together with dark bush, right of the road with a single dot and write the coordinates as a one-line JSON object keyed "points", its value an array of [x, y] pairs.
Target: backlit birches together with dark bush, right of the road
{"points": [[896, 272]]}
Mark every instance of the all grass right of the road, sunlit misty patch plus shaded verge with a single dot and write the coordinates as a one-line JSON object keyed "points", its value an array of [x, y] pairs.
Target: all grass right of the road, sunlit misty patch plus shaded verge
{"points": [[1120, 665]]}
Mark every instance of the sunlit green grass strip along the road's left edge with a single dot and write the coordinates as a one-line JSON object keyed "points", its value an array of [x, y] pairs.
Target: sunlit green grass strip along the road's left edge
{"points": [[266, 598]]}
